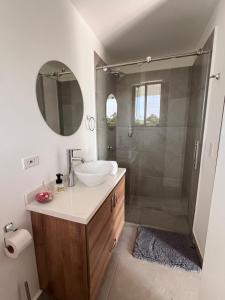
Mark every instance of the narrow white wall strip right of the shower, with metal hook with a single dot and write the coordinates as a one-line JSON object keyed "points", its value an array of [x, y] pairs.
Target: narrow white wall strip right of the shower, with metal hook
{"points": [[212, 128]]}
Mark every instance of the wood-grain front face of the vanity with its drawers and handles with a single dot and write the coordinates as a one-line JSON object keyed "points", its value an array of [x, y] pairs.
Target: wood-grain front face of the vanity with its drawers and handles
{"points": [[103, 233]]}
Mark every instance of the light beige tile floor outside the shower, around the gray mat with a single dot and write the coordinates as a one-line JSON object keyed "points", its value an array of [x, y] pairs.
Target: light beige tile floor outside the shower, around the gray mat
{"points": [[128, 278]]}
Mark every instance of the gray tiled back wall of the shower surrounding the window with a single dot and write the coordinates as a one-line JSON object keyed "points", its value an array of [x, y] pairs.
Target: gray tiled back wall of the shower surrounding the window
{"points": [[154, 156]]}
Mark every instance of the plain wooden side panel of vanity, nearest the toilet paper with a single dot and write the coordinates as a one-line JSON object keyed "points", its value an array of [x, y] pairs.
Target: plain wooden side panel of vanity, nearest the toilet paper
{"points": [[60, 247]]}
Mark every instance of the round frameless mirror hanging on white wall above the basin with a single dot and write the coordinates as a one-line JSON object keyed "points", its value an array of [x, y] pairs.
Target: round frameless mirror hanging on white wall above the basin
{"points": [[59, 98]]}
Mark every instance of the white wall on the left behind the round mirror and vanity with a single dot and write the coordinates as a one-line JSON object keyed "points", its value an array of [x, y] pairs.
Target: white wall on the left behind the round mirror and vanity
{"points": [[31, 33]]}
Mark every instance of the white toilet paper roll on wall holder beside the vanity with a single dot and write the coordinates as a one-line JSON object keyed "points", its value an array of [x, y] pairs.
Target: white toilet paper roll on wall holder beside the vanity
{"points": [[16, 242]]}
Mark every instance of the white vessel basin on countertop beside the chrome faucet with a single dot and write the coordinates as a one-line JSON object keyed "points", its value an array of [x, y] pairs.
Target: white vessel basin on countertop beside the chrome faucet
{"points": [[93, 173]]}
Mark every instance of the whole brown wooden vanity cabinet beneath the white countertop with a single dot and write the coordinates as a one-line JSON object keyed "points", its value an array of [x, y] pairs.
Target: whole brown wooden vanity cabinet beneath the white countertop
{"points": [[72, 258]]}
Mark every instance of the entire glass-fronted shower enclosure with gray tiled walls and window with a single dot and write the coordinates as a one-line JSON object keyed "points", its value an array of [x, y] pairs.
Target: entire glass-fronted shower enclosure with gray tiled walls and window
{"points": [[150, 119]]}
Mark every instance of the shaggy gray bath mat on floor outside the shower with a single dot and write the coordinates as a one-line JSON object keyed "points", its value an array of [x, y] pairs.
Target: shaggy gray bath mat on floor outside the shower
{"points": [[167, 248]]}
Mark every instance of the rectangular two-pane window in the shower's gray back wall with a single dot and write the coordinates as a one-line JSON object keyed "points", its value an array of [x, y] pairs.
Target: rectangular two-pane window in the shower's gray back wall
{"points": [[147, 104]]}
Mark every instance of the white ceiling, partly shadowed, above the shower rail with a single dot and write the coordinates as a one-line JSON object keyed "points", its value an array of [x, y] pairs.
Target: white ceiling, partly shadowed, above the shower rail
{"points": [[133, 29]]}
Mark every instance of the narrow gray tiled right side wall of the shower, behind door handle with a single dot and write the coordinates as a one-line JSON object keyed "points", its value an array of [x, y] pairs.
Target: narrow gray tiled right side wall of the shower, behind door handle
{"points": [[196, 121]]}
